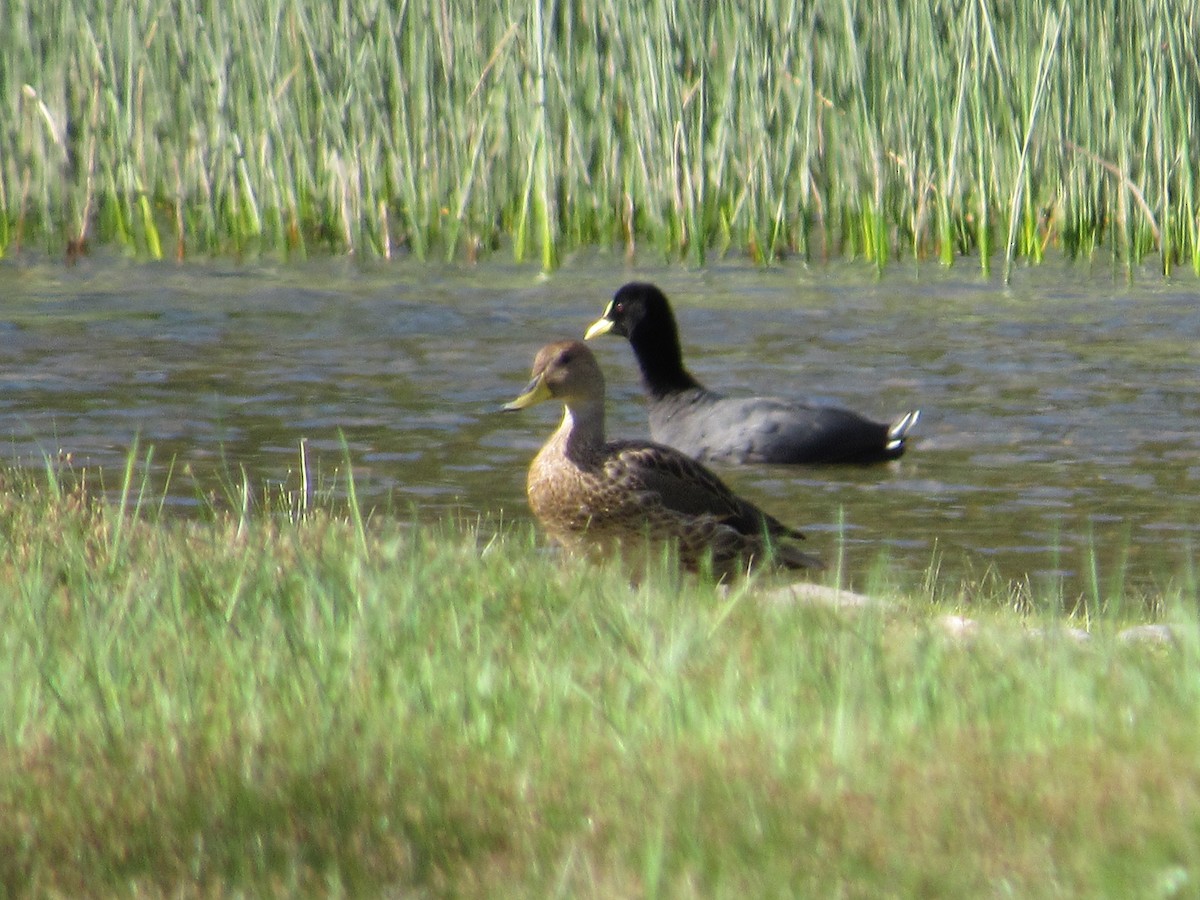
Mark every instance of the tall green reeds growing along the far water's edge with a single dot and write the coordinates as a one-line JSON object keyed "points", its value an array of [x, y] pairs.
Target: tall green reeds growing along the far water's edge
{"points": [[872, 130]]}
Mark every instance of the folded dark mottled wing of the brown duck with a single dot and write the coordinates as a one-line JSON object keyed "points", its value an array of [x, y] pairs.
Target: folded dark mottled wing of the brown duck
{"points": [[683, 485]]}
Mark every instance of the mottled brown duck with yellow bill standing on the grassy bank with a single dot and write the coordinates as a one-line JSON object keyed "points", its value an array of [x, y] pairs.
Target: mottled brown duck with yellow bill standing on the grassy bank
{"points": [[599, 497]]}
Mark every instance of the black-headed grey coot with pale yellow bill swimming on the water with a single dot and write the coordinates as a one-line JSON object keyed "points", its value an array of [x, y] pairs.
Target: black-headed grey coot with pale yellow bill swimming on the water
{"points": [[713, 428]]}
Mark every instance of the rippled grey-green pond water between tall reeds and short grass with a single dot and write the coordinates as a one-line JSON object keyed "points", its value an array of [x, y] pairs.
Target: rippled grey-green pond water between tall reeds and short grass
{"points": [[1058, 445]]}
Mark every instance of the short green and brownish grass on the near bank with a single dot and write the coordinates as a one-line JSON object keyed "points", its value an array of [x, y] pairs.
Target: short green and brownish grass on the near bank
{"points": [[277, 707]]}
